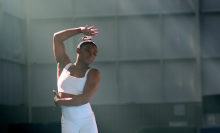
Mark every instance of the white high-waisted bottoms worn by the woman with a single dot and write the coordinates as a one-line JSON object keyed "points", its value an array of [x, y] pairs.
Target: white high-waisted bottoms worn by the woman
{"points": [[79, 119]]}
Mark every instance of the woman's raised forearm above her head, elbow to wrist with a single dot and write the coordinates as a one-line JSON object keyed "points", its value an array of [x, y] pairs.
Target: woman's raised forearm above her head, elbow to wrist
{"points": [[65, 34]]}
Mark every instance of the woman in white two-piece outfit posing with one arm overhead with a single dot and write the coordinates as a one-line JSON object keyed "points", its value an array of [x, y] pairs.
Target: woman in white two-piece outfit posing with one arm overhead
{"points": [[76, 82]]}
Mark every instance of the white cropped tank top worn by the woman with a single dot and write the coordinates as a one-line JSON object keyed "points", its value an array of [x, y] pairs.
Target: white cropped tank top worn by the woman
{"points": [[70, 84]]}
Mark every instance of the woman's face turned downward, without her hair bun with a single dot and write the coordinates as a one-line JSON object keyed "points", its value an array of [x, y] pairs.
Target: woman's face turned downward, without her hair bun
{"points": [[87, 53]]}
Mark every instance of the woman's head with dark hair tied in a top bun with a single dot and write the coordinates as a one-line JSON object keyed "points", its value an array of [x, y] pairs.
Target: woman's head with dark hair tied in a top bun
{"points": [[87, 50]]}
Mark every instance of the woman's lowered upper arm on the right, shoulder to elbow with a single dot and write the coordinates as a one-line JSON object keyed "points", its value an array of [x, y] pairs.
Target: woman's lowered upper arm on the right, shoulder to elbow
{"points": [[92, 84]]}
